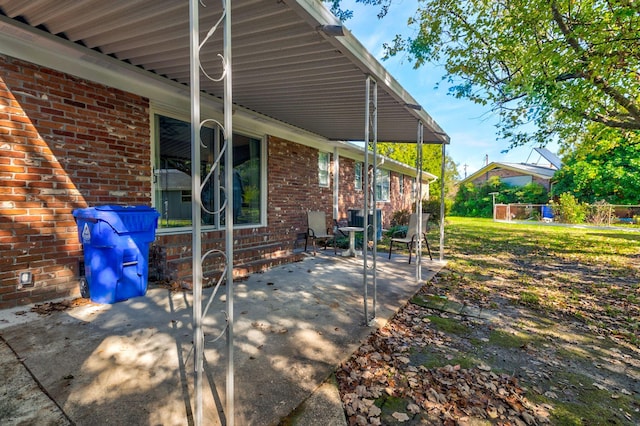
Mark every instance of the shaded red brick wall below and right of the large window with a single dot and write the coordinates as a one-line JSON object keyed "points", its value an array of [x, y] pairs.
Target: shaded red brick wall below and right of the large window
{"points": [[292, 190]]}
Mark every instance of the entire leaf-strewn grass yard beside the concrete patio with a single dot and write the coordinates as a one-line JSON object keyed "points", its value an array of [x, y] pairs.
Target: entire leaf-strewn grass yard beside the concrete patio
{"points": [[526, 324]]}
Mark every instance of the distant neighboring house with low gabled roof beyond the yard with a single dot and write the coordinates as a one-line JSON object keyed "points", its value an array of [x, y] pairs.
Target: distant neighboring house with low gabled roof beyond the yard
{"points": [[519, 174]]}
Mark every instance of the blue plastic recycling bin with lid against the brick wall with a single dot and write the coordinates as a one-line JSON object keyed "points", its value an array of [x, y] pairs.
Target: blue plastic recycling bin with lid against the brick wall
{"points": [[115, 241]]}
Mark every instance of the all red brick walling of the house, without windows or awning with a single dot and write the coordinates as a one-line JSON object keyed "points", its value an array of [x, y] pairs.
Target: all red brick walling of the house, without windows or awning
{"points": [[70, 143]]}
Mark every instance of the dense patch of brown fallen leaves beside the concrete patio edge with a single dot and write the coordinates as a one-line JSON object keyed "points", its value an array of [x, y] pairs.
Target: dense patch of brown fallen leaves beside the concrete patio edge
{"points": [[382, 369]]}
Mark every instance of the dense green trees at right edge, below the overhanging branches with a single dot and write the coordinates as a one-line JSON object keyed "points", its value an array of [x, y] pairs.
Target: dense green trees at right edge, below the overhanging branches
{"points": [[606, 166]]}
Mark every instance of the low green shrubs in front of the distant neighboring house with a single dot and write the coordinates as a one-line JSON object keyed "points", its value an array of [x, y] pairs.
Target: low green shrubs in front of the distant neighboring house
{"points": [[475, 201]]}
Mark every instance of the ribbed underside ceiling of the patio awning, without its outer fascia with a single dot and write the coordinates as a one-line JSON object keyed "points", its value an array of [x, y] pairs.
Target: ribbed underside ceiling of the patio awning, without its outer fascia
{"points": [[282, 65]]}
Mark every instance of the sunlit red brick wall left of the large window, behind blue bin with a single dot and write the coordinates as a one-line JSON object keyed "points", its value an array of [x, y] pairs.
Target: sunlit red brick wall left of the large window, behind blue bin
{"points": [[65, 143]]}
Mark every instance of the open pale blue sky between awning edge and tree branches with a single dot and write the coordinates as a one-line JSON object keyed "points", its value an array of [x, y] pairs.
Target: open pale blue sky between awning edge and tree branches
{"points": [[470, 126]]}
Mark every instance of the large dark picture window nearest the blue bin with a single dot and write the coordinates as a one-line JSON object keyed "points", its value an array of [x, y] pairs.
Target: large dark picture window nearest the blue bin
{"points": [[172, 176]]}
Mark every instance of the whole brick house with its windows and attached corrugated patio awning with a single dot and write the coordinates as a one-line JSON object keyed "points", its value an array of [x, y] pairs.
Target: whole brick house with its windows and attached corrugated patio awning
{"points": [[95, 109]]}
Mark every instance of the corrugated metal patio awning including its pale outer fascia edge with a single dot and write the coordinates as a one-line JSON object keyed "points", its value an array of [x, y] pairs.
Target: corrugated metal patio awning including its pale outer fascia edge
{"points": [[284, 67]]}
